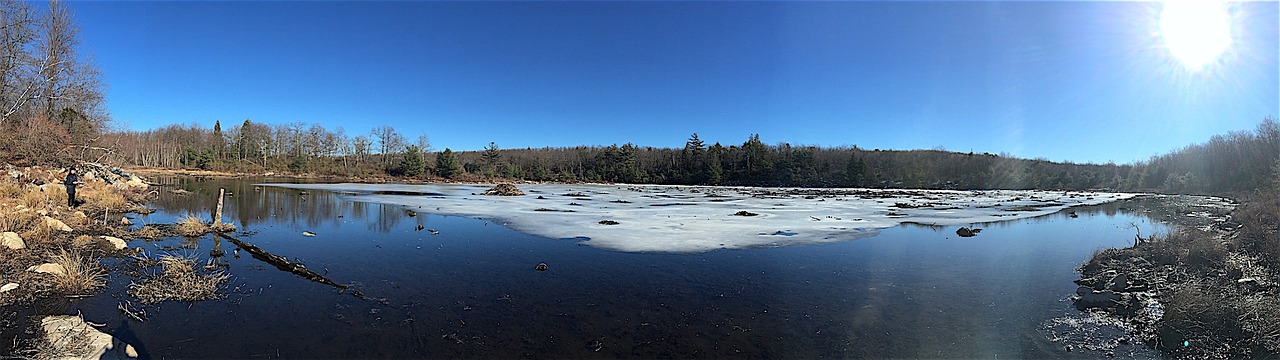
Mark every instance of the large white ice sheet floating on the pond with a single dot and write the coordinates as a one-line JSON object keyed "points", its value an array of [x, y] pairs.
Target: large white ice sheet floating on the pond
{"points": [[693, 220]]}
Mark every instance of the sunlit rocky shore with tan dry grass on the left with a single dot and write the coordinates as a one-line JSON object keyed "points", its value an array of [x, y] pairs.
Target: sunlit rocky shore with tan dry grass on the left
{"points": [[51, 250]]}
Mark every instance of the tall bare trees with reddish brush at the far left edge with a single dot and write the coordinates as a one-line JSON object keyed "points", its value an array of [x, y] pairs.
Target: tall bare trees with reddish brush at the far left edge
{"points": [[52, 99]]}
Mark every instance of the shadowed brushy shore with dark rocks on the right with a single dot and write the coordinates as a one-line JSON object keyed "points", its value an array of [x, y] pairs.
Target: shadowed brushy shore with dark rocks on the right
{"points": [[1200, 293]]}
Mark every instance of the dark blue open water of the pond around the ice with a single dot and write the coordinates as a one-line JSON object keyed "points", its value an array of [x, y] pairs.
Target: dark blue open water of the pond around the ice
{"points": [[472, 291]]}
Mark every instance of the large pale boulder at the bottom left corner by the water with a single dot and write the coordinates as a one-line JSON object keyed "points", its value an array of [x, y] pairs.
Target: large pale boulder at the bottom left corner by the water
{"points": [[71, 338]]}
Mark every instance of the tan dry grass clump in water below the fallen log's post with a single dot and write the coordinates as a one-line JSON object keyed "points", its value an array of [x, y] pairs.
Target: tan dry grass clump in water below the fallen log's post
{"points": [[180, 280]]}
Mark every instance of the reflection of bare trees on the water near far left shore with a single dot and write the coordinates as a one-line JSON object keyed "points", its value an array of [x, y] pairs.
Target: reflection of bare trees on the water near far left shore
{"points": [[252, 206]]}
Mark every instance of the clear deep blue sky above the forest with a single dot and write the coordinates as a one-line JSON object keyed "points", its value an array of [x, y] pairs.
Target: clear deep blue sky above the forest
{"points": [[1086, 83]]}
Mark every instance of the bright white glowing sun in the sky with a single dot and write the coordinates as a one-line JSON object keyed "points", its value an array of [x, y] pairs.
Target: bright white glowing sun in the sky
{"points": [[1196, 31]]}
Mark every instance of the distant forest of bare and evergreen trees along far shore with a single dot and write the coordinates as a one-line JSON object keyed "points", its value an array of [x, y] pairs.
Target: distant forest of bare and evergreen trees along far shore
{"points": [[1235, 162]]}
